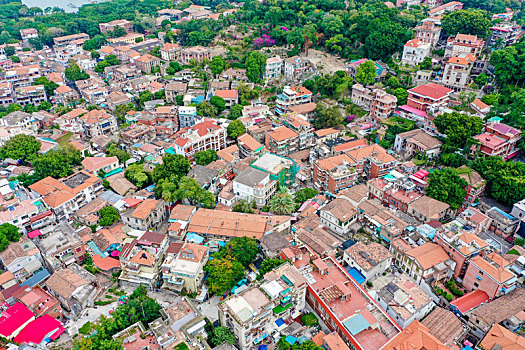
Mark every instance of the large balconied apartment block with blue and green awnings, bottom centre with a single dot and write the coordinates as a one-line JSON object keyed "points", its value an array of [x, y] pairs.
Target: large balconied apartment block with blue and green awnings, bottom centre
{"points": [[259, 312]]}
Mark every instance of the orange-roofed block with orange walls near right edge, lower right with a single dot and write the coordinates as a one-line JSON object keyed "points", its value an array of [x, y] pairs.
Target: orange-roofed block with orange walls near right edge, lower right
{"points": [[490, 274]]}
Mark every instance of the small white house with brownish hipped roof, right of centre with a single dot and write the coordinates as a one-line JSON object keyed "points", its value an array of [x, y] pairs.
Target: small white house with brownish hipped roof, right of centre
{"points": [[338, 215]]}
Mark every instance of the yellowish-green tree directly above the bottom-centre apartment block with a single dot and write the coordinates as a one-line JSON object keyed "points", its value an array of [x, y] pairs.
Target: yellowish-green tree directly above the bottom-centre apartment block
{"points": [[223, 274]]}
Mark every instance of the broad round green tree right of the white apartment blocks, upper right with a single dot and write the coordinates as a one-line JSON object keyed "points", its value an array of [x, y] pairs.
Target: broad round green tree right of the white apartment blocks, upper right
{"points": [[458, 127]]}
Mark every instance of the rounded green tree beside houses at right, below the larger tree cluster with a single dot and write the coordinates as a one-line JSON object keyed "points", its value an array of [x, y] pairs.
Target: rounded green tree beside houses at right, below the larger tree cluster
{"points": [[447, 186]]}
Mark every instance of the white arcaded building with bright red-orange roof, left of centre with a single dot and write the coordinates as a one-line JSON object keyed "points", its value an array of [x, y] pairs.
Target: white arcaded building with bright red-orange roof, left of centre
{"points": [[199, 137]]}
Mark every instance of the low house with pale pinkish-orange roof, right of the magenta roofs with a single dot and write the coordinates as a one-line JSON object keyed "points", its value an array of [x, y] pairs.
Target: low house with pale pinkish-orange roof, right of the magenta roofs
{"points": [[75, 288]]}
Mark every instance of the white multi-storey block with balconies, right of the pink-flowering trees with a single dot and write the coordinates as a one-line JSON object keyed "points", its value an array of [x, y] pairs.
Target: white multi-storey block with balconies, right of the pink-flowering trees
{"points": [[380, 104]]}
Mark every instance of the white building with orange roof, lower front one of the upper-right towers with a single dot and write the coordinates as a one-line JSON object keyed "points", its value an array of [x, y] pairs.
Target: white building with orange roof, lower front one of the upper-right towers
{"points": [[456, 74]]}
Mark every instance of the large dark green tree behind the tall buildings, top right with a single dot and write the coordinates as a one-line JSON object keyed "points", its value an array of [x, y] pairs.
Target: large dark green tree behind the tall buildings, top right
{"points": [[469, 21]]}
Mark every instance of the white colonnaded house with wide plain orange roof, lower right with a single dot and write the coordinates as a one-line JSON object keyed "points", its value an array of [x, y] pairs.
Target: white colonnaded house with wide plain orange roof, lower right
{"points": [[427, 262]]}
